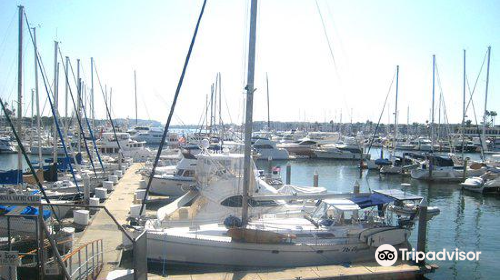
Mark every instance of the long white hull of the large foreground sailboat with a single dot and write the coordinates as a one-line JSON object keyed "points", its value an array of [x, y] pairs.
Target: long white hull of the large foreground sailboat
{"points": [[173, 249]]}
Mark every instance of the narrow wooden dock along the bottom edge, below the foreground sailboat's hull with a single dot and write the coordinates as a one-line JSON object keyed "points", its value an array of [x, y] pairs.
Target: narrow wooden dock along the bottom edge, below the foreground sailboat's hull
{"points": [[359, 271]]}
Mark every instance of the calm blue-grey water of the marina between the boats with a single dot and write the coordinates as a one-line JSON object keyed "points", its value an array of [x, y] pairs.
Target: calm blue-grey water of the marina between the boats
{"points": [[470, 222]]}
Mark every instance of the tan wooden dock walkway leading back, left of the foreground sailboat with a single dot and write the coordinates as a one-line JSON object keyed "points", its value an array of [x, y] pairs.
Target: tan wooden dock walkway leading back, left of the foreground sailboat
{"points": [[102, 226]]}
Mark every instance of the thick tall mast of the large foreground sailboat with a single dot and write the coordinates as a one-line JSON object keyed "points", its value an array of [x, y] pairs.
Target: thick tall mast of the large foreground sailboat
{"points": [[247, 167]]}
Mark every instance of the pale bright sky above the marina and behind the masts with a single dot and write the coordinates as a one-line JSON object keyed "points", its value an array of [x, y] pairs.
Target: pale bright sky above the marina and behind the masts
{"points": [[306, 83]]}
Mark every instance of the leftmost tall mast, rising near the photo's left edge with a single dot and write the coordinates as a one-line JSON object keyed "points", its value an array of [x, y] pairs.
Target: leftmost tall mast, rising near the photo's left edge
{"points": [[20, 88]]}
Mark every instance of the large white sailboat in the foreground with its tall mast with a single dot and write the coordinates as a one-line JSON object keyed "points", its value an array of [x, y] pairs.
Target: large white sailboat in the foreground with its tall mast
{"points": [[333, 233]]}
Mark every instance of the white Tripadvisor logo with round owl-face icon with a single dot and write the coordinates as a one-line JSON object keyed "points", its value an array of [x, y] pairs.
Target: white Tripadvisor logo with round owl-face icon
{"points": [[387, 255]]}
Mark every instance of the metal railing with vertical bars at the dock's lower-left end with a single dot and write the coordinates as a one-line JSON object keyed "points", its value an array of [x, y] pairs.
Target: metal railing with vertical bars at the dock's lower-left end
{"points": [[86, 261]]}
